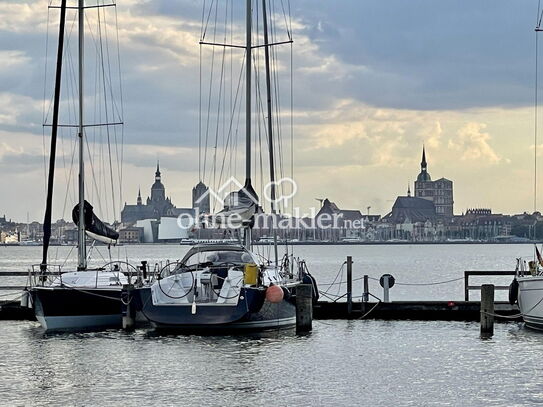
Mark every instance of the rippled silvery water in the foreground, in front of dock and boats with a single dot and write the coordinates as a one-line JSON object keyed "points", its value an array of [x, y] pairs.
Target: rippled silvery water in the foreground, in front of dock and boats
{"points": [[341, 362]]}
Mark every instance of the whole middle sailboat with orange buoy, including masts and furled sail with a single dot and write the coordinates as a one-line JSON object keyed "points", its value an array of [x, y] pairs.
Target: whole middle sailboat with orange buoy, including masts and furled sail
{"points": [[225, 287]]}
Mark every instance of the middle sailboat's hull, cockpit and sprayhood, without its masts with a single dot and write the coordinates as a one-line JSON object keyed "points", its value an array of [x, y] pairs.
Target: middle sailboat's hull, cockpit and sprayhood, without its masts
{"points": [[218, 287]]}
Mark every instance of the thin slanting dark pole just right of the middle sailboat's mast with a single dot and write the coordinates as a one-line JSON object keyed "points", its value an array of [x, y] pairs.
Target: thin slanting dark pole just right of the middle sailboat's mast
{"points": [[270, 134]]}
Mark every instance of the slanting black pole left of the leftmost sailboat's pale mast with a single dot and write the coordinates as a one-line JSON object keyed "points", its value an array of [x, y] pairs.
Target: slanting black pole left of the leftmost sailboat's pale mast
{"points": [[54, 132]]}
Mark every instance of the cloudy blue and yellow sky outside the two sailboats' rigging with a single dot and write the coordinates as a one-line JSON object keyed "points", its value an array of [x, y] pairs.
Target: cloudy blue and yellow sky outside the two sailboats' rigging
{"points": [[373, 81]]}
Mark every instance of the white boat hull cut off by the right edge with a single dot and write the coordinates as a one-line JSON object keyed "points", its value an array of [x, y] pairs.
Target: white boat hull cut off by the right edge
{"points": [[530, 301]]}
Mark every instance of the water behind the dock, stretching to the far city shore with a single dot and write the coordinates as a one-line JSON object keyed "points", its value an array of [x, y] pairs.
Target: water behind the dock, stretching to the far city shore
{"points": [[407, 263]]}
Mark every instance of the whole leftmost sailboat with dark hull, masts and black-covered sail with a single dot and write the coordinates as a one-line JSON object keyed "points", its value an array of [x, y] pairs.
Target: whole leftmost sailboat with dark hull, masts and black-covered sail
{"points": [[84, 298]]}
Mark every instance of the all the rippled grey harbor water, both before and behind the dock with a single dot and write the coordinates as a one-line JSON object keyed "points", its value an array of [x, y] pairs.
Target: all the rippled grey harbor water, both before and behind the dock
{"points": [[378, 363]]}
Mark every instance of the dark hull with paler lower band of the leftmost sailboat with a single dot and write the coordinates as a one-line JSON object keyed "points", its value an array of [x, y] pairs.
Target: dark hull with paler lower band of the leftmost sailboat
{"points": [[60, 308]]}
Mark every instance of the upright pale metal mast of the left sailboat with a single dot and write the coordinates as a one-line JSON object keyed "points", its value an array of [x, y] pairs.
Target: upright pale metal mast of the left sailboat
{"points": [[82, 252]]}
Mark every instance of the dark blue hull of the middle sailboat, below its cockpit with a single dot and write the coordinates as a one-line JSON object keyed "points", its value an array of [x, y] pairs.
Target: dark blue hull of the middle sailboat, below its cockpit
{"points": [[252, 312]]}
